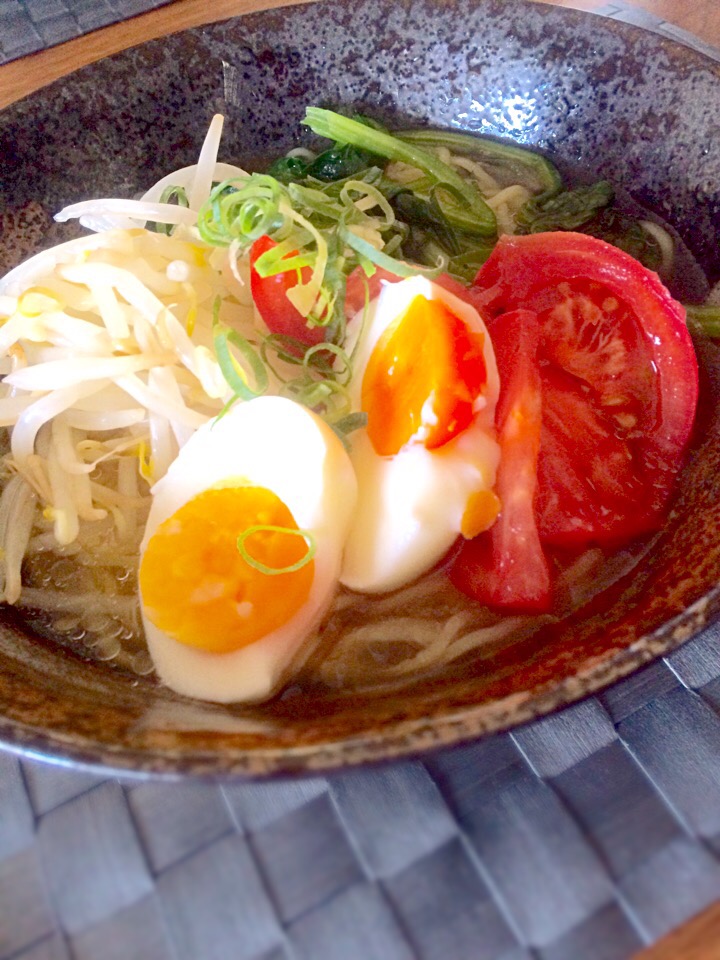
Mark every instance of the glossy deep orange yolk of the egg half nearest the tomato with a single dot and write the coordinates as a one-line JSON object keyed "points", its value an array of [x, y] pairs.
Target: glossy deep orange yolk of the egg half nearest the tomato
{"points": [[422, 378]]}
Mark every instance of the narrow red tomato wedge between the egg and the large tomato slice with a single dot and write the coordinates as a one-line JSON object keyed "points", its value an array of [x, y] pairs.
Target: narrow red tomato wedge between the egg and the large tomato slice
{"points": [[506, 567]]}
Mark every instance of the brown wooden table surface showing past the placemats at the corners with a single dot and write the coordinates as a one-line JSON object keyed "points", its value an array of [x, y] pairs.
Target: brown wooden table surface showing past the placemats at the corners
{"points": [[699, 939]]}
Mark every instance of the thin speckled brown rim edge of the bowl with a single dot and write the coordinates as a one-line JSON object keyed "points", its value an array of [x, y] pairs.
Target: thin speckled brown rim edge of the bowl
{"points": [[406, 737]]}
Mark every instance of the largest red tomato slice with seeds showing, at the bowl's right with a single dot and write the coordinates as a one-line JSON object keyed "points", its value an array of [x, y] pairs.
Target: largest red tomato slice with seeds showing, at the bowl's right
{"points": [[619, 378]]}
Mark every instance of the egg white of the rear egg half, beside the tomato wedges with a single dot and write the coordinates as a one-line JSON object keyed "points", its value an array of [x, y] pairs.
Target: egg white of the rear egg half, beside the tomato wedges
{"points": [[410, 506]]}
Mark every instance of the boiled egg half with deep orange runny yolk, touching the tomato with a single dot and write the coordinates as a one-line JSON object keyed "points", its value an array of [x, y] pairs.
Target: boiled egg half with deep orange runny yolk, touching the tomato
{"points": [[424, 372]]}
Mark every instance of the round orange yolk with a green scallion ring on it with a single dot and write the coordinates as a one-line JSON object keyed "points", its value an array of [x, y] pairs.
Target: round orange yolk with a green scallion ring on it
{"points": [[198, 589]]}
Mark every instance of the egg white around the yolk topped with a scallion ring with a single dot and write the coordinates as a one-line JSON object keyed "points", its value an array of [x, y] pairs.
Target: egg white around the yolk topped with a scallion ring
{"points": [[274, 443]]}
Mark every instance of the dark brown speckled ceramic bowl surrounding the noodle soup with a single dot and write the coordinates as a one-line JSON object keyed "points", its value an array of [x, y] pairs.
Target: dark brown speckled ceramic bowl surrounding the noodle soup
{"points": [[599, 96]]}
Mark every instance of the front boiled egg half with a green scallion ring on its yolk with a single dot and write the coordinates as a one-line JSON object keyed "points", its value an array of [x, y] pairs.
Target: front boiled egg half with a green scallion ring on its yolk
{"points": [[242, 550]]}
